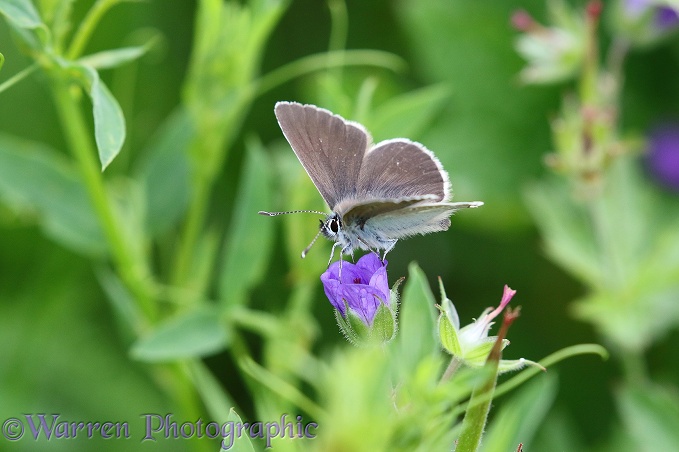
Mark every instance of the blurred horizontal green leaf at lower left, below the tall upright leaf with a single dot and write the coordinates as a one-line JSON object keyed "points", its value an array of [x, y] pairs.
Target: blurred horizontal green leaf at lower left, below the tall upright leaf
{"points": [[192, 334]]}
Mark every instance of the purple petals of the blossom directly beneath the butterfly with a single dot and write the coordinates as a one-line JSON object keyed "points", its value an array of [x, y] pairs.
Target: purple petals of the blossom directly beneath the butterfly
{"points": [[363, 286]]}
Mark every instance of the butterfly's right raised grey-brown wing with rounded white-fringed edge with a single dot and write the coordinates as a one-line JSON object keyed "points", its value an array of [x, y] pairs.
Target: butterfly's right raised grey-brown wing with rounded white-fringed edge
{"points": [[402, 168]]}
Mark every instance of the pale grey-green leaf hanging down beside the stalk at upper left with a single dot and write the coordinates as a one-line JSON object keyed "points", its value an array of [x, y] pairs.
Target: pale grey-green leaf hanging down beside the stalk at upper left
{"points": [[109, 122]]}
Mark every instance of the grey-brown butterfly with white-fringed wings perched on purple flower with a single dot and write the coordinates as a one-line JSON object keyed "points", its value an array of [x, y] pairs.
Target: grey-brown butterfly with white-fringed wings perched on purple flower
{"points": [[378, 194]]}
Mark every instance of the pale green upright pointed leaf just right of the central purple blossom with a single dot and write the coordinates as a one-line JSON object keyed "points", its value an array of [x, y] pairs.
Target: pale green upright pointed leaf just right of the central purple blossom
{"points": [[417, 329]]}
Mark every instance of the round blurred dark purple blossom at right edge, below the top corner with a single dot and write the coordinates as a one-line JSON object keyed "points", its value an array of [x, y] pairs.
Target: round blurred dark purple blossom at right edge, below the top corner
{"points": [[663, 155]]}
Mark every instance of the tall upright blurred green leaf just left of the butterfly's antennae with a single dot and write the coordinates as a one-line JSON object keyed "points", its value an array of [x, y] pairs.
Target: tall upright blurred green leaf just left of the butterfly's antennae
{"points": [[250, 236]]}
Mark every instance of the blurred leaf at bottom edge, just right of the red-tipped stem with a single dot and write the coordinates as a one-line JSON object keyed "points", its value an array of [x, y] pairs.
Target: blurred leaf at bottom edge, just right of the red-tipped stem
{"points": [[520, 417]]}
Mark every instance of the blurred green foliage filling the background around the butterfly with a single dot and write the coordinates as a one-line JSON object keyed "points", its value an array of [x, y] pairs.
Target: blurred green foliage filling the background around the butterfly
{"points": [[138, 141]]}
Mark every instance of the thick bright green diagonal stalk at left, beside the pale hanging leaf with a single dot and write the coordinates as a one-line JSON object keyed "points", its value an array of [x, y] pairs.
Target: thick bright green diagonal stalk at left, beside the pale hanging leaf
{"points": [[79, 140]]}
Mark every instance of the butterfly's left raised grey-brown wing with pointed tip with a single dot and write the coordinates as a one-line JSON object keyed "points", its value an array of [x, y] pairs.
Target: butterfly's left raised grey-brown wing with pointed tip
{"points": [[330, 149]]}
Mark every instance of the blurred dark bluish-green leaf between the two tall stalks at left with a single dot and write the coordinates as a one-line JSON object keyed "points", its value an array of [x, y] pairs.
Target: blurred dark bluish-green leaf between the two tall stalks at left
{"points": [[165, 175]]}
